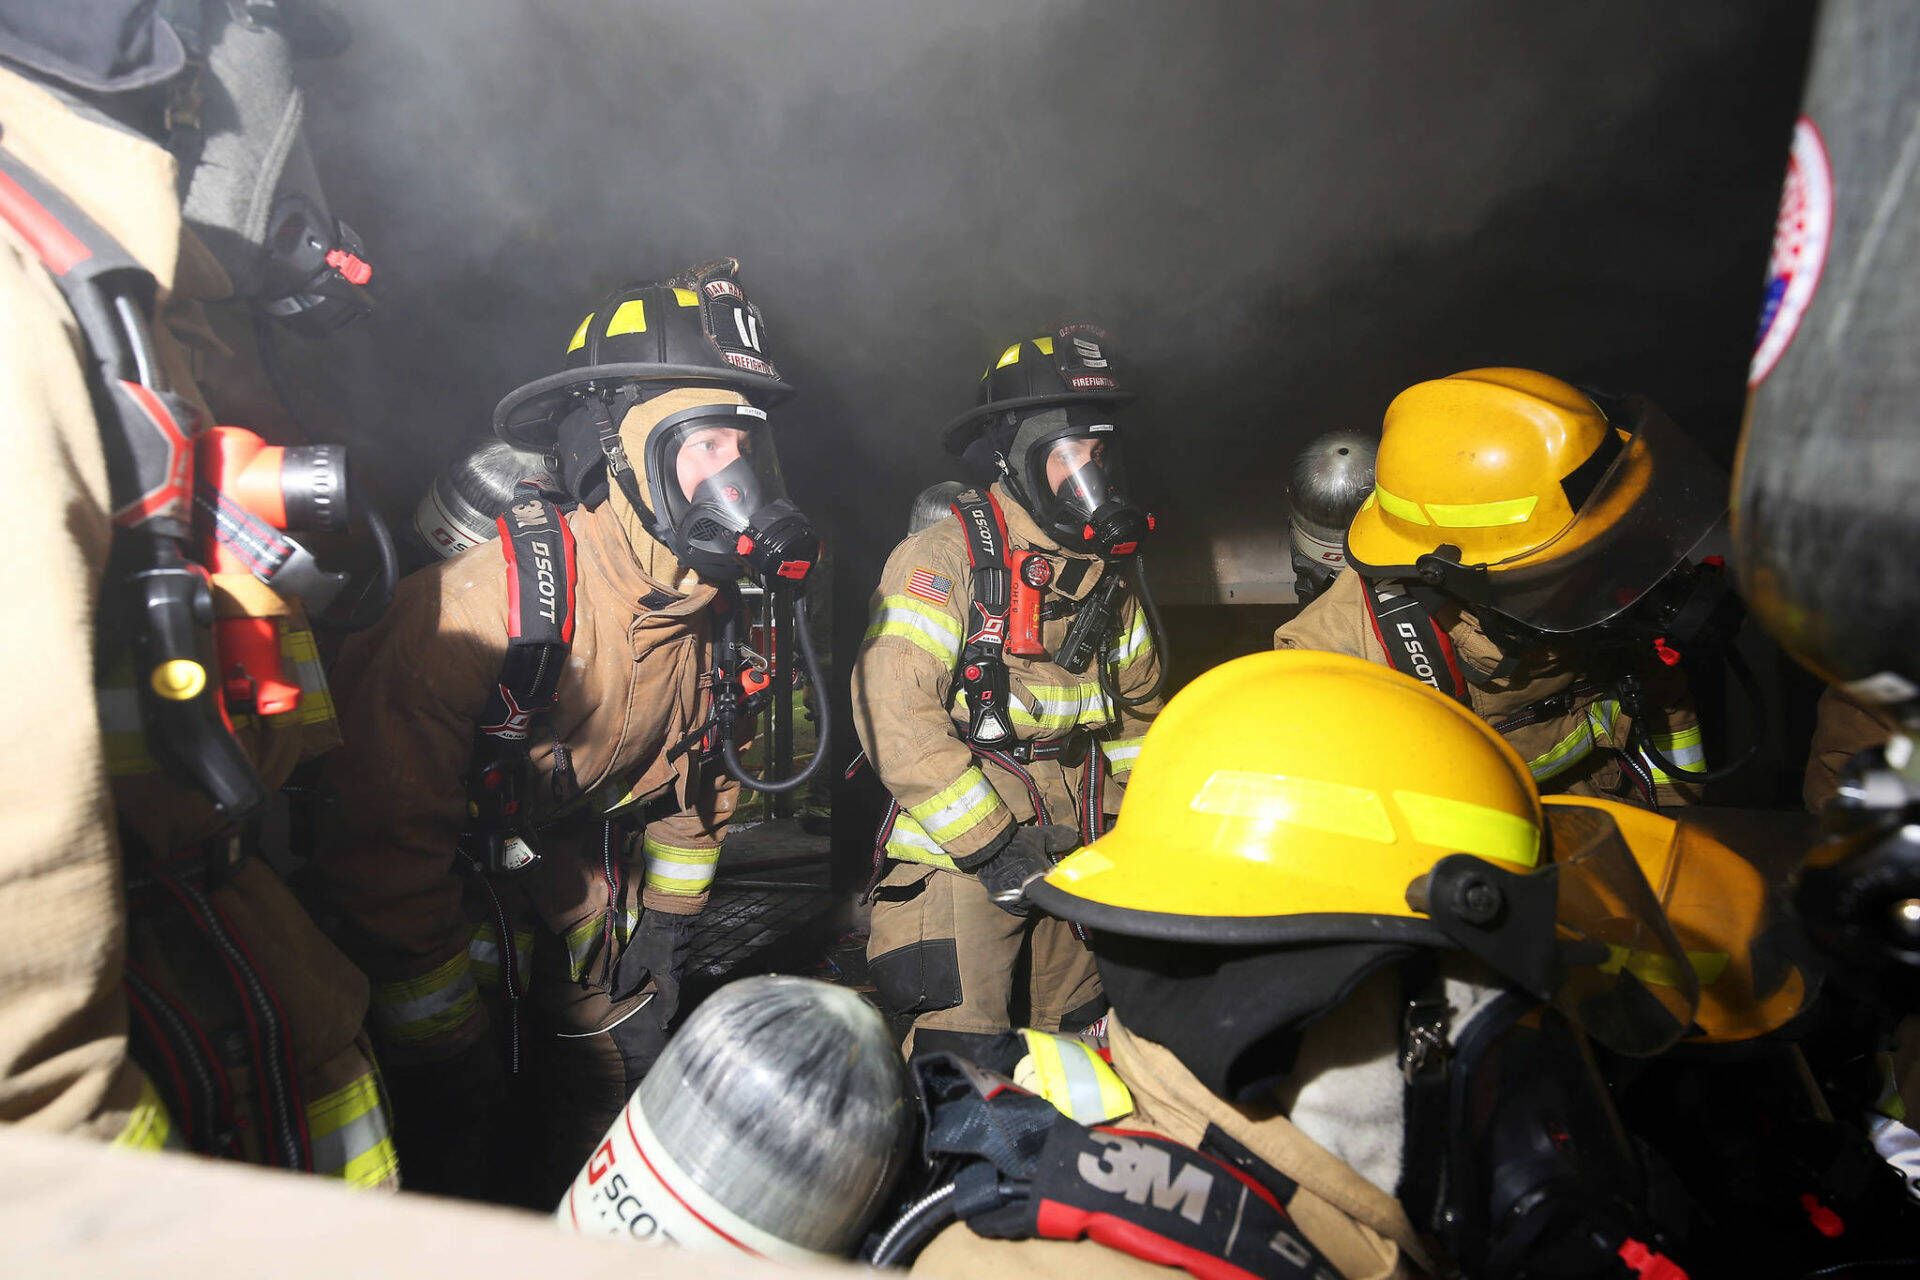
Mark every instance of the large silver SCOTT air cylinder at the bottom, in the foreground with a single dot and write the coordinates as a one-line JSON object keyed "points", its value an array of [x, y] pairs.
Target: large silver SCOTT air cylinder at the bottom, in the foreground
{"points": [[775, 1124]]}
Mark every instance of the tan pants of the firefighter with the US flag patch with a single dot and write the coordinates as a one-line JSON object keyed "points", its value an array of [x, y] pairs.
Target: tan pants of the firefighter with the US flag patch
{"points": [[944, 955]]}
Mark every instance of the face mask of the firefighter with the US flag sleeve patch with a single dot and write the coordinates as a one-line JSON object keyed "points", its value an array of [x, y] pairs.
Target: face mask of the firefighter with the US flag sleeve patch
{"points": [[1070, 475]]}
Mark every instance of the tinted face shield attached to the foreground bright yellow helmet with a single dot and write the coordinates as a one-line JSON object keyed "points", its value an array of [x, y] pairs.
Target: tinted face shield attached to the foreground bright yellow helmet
{"points": [[1585, 934]]}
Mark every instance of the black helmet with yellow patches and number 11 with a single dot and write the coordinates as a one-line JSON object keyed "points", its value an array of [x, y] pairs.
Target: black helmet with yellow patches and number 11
{"points": [[696, 327]]}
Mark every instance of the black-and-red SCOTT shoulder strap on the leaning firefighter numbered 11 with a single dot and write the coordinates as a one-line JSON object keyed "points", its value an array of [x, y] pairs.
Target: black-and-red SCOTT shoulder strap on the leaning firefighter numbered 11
{"points": [[540, 632]]}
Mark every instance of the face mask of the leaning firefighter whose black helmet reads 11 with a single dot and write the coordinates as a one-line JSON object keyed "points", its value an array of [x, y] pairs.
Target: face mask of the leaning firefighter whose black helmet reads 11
{"points": [[721, 500]]}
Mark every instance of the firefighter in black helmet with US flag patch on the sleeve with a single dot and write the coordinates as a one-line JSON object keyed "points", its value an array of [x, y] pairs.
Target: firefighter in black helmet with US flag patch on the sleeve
{"points": [[1001, 749]]}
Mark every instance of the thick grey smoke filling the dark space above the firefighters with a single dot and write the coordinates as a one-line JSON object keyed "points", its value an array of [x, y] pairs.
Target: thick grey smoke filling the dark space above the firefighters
{"points": [[1284, 212]]}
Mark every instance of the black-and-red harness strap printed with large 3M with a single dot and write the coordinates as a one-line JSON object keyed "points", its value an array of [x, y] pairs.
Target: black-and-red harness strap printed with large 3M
{"points": [[1026, 1172]]}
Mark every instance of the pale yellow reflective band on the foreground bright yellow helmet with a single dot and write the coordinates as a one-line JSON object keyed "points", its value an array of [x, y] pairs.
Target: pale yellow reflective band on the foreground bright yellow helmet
{"points": [[1458, 826]]}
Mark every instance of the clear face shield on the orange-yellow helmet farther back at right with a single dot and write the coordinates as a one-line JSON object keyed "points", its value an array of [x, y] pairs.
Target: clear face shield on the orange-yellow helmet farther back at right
{"points": [[1648, 513]]}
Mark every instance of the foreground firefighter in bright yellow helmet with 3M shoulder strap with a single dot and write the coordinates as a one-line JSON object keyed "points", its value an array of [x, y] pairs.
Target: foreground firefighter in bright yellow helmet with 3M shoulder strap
{"points": [[1349, 997]]}
